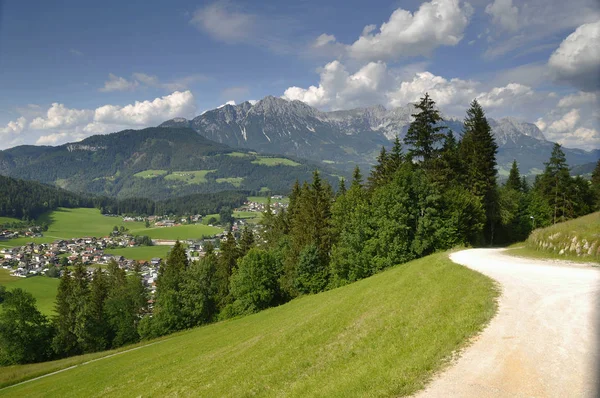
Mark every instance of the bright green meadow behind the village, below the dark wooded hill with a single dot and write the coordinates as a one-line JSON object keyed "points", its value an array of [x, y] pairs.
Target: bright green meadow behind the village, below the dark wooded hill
{"points": [[75, 223]]}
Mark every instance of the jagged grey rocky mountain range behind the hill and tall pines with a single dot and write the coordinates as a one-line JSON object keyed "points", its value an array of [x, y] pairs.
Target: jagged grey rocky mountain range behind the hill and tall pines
{"points": [[348, 137]]}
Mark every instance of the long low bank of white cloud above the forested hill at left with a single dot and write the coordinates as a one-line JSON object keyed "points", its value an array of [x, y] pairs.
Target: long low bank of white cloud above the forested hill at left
{"points": [[62, 124]]}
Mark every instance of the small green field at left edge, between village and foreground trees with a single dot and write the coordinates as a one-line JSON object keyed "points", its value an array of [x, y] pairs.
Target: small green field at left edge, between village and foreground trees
{"points": [[41, 287]]}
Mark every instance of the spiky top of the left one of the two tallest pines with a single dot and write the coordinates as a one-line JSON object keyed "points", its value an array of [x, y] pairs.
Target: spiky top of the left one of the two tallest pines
{"points": [[424, 133]]}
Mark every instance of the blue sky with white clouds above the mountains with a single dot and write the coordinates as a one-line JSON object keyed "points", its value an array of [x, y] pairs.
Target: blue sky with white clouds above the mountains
{"points": [[72, 69]]}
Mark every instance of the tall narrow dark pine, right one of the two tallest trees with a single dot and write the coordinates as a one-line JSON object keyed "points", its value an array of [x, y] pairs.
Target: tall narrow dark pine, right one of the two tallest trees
{"points": [[478, 154]]}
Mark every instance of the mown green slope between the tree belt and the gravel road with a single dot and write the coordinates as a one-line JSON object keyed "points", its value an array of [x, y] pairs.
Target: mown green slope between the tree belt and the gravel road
{"points": [[382, 336]]}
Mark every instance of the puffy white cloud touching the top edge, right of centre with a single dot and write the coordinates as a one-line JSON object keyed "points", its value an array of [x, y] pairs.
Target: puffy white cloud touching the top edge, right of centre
{"points": [[436, 23]]}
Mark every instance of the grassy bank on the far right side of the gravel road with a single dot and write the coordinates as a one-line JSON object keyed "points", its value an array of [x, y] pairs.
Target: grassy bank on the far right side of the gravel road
{"points": [[576, 240]]}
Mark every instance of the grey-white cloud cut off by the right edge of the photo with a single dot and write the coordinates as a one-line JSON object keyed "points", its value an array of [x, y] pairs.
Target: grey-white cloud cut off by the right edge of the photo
{"points": [[577, 60]]}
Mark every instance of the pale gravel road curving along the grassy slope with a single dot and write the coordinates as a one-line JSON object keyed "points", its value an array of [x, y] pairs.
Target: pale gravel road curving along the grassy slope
{"points": [[543, 342]]}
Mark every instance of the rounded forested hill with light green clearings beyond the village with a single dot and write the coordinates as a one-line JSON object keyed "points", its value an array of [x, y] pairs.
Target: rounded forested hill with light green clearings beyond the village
{"points": [[155, 163]]}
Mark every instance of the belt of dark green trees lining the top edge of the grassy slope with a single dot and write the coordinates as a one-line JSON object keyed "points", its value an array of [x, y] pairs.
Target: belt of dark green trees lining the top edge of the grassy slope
{"points": [[439, 193]]}
